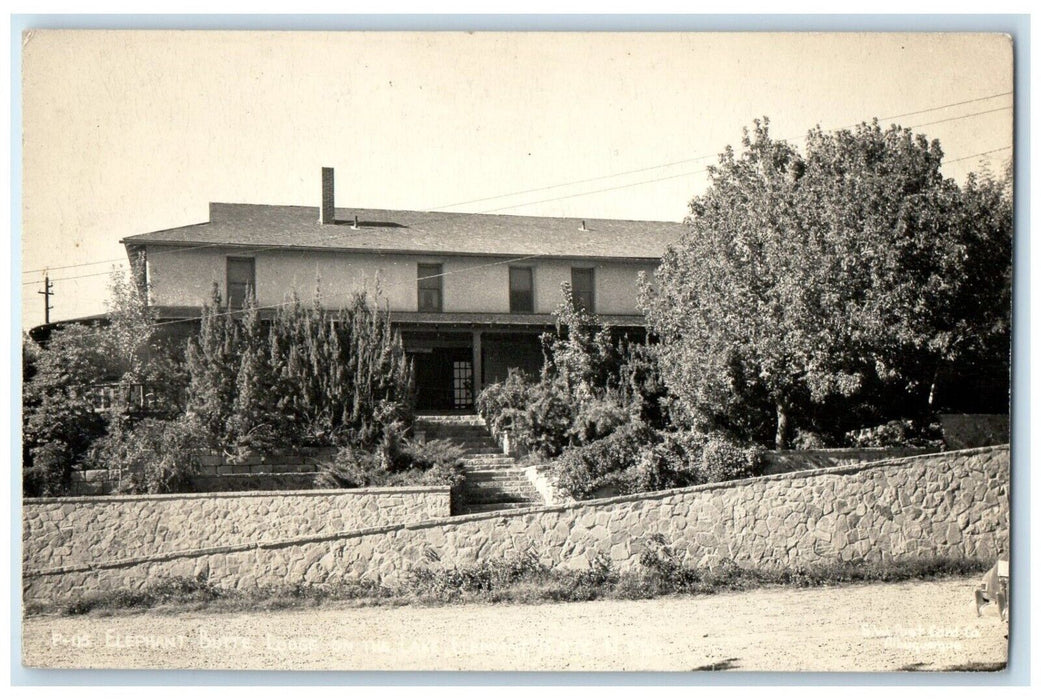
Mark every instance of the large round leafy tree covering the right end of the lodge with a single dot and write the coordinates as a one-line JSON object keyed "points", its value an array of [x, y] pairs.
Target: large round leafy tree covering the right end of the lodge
{"points": [[807, 278]]}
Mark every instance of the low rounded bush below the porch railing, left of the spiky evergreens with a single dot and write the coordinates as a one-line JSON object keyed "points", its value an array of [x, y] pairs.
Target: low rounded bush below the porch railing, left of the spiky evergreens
{"points": [[153, 457]]}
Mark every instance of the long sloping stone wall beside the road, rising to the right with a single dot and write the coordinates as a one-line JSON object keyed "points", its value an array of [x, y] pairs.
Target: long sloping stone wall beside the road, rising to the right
{"points": [[955, 504]]}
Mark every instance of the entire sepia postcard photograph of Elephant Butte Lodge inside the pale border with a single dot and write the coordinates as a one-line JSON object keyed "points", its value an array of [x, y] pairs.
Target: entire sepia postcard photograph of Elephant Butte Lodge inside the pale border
{"points": [[524, 352]]}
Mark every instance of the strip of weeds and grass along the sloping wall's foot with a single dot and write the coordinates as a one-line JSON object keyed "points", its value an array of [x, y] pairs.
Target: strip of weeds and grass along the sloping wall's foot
{"points": [[521, 580]]}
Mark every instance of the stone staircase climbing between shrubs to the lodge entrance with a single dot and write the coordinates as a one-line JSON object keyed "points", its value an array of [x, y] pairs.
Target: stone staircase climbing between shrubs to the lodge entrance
{"points": [[494, 481]]}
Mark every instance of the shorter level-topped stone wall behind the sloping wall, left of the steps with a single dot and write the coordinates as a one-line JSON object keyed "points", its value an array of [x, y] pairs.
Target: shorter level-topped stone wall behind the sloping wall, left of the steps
{"points": [[83, 531]]}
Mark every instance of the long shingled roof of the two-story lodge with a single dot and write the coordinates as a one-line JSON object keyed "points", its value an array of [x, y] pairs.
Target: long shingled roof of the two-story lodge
{"points": [[398, 232]]}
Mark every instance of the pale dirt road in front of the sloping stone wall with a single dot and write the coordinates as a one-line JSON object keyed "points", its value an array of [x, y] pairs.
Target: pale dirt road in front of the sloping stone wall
{"points": [[928, 626]]}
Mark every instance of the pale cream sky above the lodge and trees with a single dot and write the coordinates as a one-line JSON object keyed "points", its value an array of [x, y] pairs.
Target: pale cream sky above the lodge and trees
{"points": [[133, 132]]}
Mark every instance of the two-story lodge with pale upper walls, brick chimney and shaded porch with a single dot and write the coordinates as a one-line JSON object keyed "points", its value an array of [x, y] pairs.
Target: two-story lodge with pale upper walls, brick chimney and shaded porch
{"points": [[470, 293]]}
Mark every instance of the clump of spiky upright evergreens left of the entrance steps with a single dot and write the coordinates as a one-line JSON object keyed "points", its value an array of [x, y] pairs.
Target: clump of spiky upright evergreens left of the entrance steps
{"points": [[311, 377]]}
